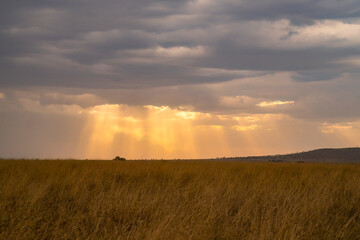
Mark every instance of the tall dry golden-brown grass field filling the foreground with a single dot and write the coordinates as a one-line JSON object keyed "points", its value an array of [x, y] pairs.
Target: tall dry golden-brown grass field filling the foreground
{"points": [[178, 200]]}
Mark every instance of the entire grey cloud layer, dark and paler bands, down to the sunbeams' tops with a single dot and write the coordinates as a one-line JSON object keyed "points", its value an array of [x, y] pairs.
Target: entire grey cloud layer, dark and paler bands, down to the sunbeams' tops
{"points": [[184, 53]]}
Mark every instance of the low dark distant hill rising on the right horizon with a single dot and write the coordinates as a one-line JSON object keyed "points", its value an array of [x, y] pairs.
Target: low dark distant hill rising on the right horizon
{"points": [[329, 155]]}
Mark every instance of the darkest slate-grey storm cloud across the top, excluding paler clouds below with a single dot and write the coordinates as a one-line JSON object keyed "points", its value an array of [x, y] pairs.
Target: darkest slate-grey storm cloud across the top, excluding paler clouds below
{"points": [[92, 44]]}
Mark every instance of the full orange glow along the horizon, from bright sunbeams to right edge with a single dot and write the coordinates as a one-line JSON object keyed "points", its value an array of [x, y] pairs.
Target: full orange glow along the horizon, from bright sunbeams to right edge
{"points": [[161, 132]]}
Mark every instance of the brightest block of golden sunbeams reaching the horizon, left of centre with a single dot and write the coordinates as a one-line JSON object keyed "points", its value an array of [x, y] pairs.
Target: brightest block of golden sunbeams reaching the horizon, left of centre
{"points": [[162, 133]]}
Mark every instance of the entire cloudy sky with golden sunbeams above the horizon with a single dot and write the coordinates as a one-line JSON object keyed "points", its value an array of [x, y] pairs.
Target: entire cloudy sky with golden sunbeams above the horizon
{"points": [[177, 79]]}
